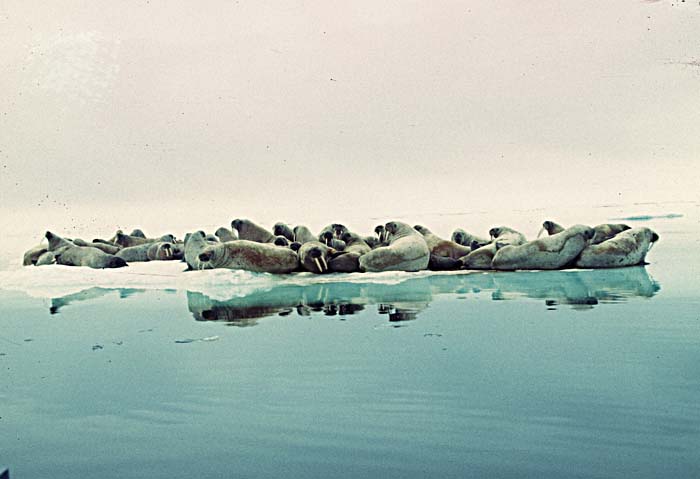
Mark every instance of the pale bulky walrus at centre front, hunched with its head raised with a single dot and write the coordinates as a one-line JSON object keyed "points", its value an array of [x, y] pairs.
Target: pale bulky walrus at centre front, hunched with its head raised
{"points": [[407, 251]]}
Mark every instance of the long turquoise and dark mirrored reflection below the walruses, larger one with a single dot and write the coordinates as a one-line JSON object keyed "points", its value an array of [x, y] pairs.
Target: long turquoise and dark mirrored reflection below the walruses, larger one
{"points": [[403, 302]]}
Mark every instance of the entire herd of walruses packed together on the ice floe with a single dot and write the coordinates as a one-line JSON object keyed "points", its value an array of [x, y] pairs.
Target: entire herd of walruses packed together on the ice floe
{"points": [[395, 246]]}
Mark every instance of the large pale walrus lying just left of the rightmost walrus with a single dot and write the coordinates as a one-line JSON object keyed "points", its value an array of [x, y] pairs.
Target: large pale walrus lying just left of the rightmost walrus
{"points": [[551, 252]]}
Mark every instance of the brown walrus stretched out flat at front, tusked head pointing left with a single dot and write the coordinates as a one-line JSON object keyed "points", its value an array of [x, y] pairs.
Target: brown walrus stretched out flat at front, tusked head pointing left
{"points": [[249, 256]]}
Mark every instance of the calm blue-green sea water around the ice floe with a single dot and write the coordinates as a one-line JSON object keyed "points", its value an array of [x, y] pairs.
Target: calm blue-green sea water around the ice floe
{"points": [[151, 372]]}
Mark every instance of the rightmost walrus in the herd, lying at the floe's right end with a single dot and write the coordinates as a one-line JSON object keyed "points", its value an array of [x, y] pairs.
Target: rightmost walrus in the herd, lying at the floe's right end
{"points": [[627, 248]]}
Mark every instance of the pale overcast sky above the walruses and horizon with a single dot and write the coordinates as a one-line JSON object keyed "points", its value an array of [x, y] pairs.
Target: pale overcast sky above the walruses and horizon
{"points": [[365, 105]]}
